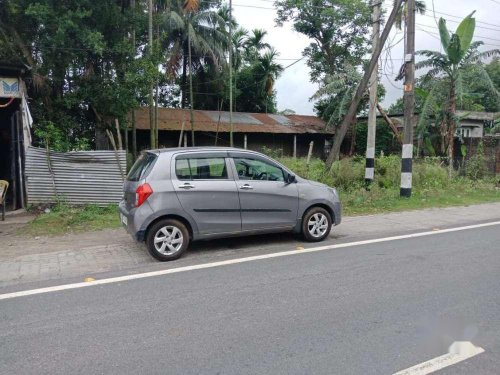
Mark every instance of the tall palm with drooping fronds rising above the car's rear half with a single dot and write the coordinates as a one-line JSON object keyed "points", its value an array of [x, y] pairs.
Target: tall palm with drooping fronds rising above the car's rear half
{"points": [[196, 36]]}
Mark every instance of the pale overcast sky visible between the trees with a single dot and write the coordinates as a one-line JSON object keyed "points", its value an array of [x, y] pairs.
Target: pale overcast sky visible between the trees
{"points": [[294, 88]]}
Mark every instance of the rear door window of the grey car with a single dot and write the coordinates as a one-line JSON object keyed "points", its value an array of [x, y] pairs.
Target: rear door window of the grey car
{"points": [[201, 169]]}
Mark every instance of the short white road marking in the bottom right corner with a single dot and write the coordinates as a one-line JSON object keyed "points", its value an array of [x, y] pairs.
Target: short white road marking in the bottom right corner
{"points": [[459, 351]]}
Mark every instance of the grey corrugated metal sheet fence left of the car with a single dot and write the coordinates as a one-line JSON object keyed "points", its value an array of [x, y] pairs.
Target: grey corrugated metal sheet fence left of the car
{"points": [[74, 177]]}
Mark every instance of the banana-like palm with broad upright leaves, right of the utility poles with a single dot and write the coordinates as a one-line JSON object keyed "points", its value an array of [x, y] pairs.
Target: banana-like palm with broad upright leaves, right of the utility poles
{"points": [[459, 54]]}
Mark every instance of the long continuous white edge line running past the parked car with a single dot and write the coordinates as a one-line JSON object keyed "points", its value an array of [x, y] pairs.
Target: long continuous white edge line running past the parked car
{"points": [[118, 279]]}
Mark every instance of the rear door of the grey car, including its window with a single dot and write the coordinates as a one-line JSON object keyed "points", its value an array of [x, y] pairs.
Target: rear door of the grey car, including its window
{"points": [[206, 189]]}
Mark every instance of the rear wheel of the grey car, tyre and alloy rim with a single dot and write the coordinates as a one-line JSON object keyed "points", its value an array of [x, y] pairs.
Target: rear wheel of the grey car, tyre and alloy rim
{"points": [[167, 239]]}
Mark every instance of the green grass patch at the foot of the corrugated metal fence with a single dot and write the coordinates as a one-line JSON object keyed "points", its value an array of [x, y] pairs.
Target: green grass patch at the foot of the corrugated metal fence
{"points": [[63, 219]]}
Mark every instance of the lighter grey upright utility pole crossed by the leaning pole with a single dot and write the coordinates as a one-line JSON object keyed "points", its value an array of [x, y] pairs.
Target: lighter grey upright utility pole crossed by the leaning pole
{"points": [[372, 113]]}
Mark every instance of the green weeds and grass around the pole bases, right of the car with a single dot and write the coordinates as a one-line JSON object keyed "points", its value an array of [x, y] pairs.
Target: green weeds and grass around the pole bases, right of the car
{"points": [[431, 185]]}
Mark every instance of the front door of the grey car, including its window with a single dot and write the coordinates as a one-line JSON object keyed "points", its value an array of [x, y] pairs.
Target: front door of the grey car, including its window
{"points": [[267, 201]]}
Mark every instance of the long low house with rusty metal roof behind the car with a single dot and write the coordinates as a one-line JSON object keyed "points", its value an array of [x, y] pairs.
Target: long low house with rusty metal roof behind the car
{"points": [[255, 131]]}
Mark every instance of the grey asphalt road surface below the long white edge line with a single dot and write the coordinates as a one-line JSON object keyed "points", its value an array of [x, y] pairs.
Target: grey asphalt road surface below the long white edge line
{"points": [[369, 309]]}
